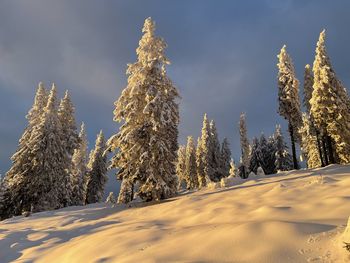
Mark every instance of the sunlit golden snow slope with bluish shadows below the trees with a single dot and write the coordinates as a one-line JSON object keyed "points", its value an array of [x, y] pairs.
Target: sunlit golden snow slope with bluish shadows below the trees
{"points": [[298, 216]]}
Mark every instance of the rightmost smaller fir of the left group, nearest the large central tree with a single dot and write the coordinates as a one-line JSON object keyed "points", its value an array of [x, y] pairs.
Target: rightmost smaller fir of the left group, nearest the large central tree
{"points": [[96, 176]]}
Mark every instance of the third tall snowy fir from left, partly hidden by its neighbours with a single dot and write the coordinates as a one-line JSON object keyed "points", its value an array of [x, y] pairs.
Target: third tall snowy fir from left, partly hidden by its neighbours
{"points": [[70, 138]]}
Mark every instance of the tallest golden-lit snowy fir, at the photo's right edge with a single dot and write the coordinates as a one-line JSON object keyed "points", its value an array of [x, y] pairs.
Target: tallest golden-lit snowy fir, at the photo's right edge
{"points": [[330, 106]]}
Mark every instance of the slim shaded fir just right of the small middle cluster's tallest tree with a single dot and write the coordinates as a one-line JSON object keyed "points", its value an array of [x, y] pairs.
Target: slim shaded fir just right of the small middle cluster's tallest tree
{"points": [[214, 147]]}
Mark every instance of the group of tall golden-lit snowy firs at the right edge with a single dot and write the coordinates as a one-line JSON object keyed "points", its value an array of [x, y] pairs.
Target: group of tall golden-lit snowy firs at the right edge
{"points": [[323, 130]]}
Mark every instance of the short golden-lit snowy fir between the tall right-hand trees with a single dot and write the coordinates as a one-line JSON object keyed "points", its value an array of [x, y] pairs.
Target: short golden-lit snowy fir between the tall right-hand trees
{"points": [[309, 143]]}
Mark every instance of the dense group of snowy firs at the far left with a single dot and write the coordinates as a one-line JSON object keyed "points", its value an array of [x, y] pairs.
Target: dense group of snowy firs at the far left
{"points": [[50, 168]]}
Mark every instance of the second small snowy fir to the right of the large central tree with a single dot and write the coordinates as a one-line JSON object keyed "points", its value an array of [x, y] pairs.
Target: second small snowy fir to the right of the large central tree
{"points": [[190, 165]]}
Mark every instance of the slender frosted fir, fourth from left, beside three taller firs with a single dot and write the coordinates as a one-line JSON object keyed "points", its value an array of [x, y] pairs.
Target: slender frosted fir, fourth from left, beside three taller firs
{"points": [[79, 169]]}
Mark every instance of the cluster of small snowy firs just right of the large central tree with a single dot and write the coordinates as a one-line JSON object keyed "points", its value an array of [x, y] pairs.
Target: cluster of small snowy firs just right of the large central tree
{"points": [[208, 161]]}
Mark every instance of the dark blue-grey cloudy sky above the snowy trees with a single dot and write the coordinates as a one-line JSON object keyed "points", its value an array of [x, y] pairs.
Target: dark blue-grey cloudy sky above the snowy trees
{"points": [[223, 57]]}
